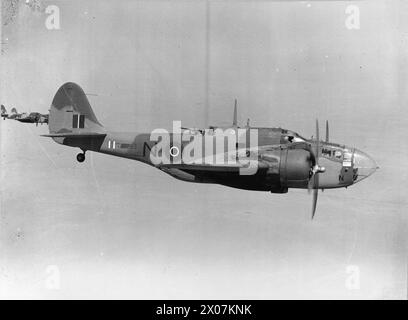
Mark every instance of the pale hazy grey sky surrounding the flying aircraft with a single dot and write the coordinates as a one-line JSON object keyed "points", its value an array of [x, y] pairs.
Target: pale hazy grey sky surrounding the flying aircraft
{"points": [[115, 228]]}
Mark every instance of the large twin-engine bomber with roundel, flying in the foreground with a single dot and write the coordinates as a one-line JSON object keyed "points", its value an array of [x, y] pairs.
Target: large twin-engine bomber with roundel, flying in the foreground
{"points": [[282, 158]]}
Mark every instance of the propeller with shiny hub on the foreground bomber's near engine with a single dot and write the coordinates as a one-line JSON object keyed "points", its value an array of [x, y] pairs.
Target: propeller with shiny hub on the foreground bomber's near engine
{"points": [[315, 169]]}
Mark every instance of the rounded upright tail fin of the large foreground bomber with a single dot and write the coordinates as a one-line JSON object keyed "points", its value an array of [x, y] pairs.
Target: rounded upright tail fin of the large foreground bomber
{"points": [[71, 112]]}
